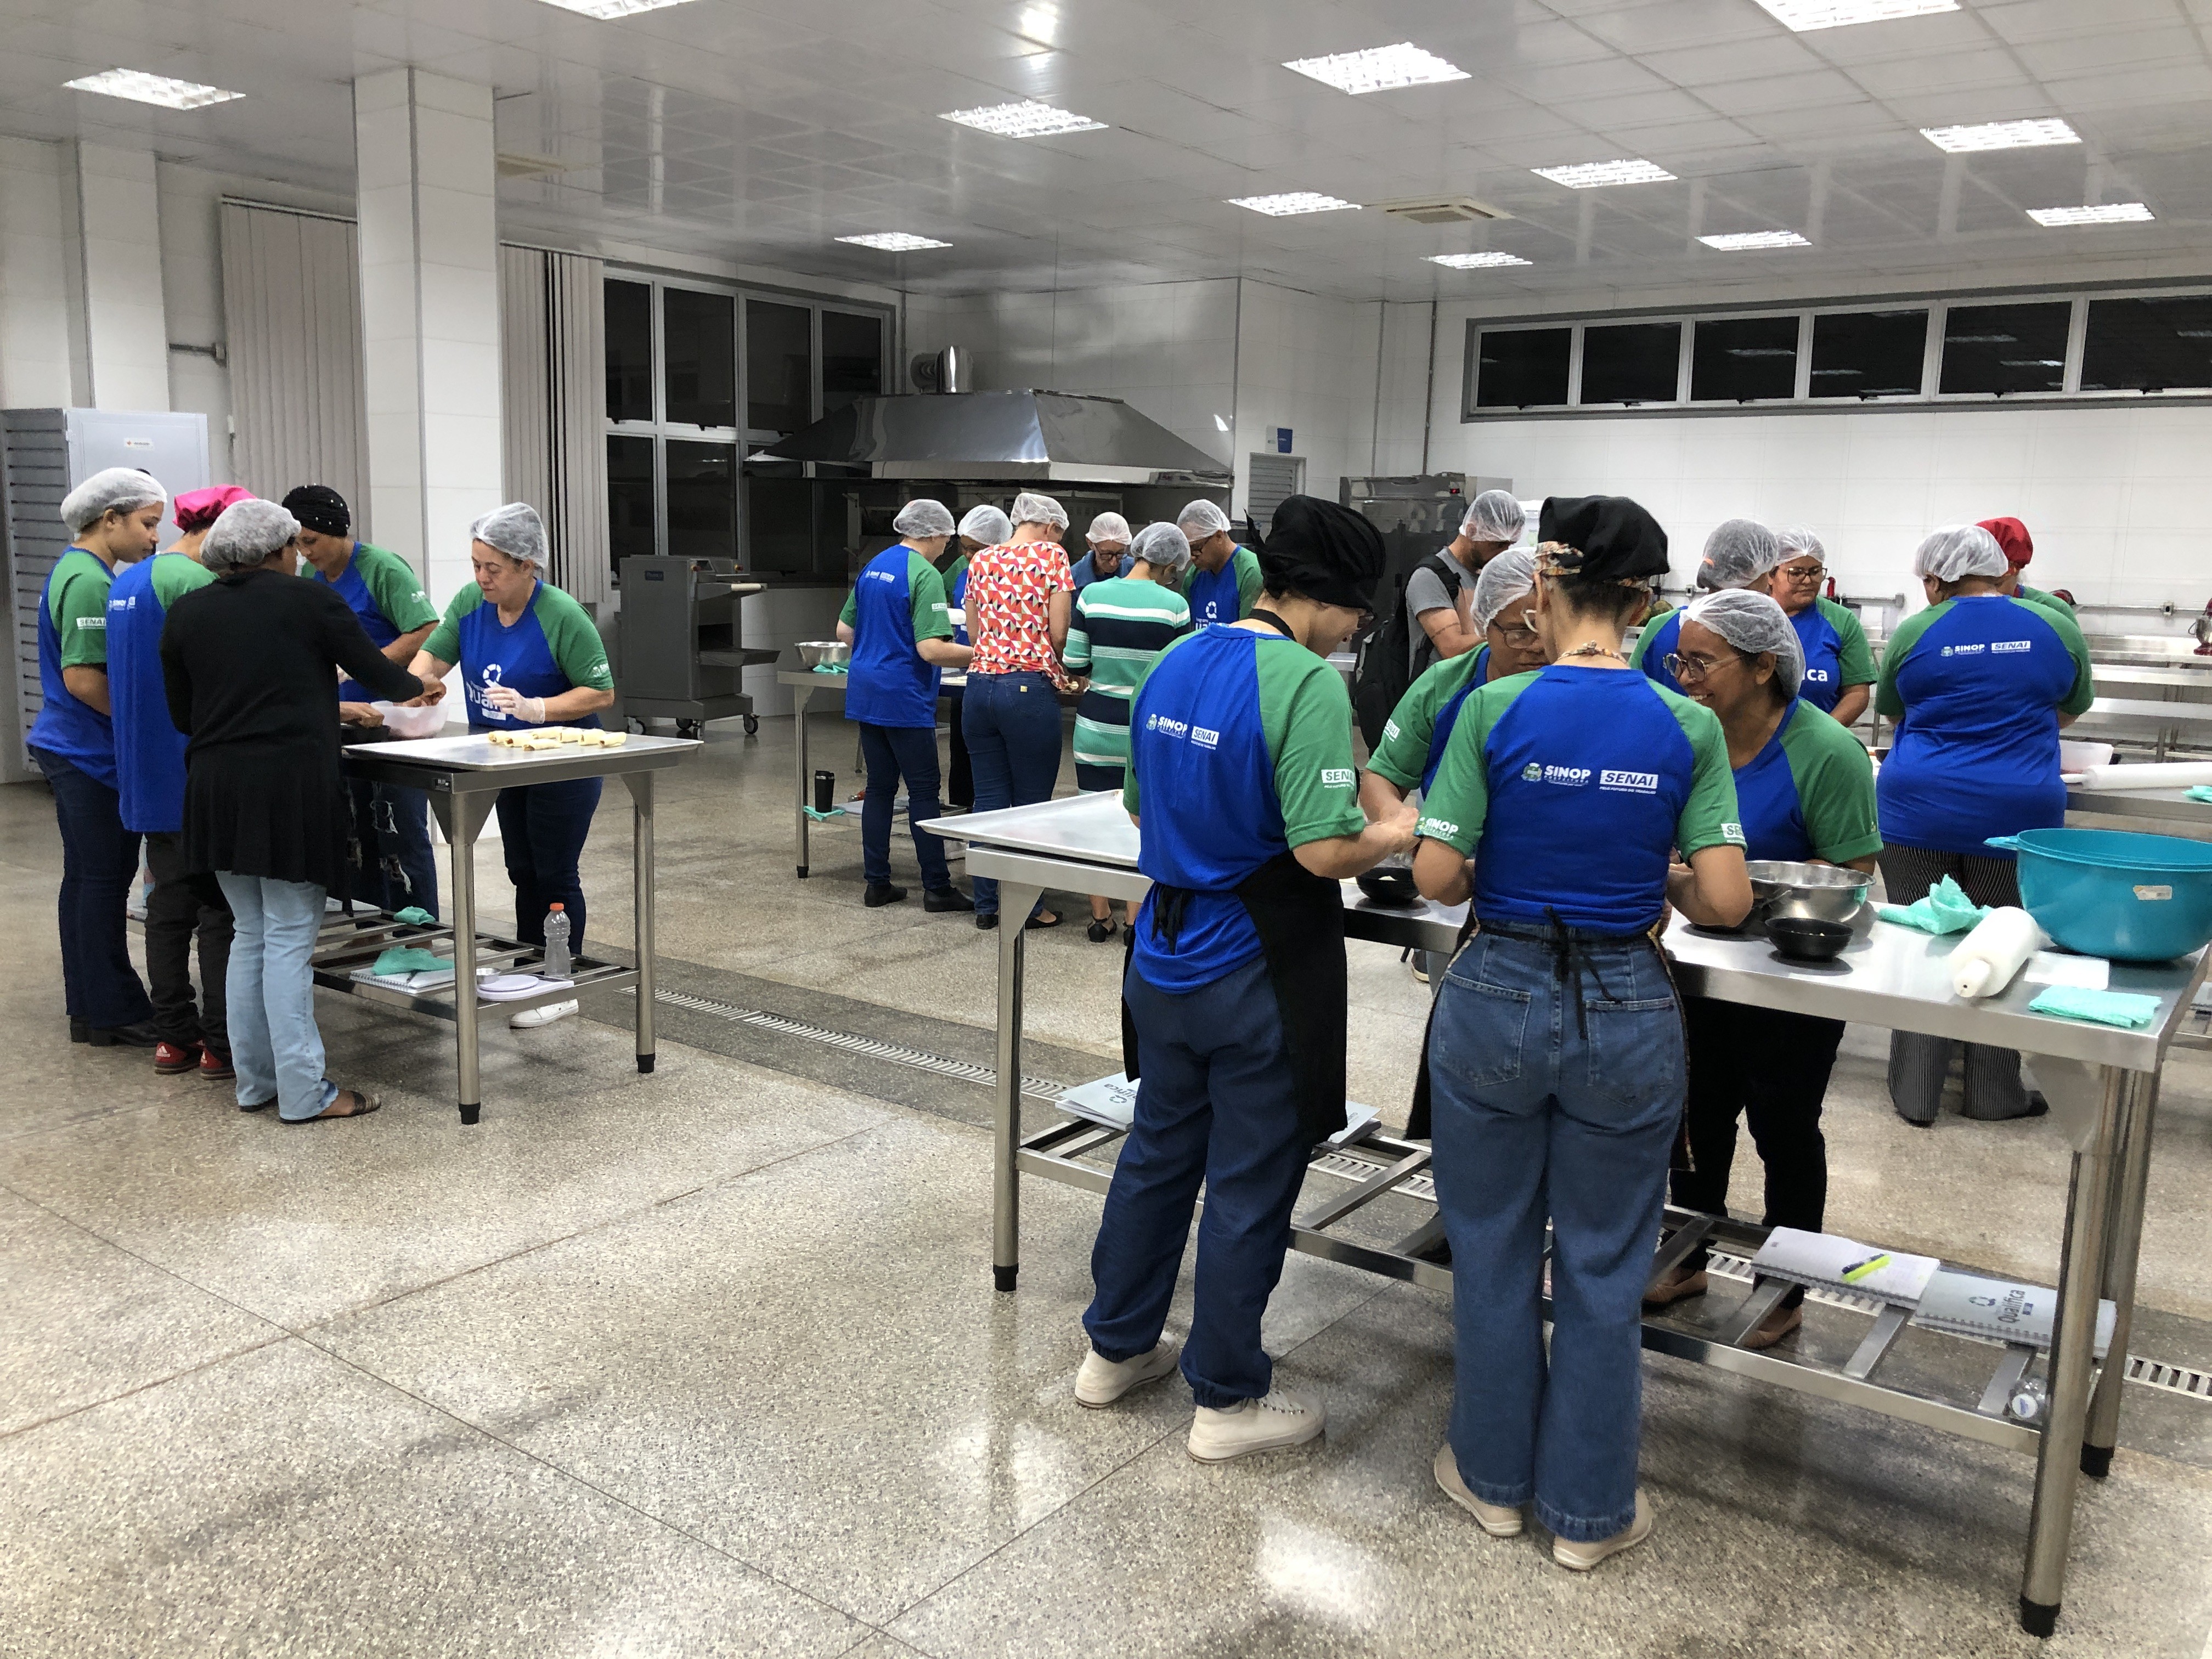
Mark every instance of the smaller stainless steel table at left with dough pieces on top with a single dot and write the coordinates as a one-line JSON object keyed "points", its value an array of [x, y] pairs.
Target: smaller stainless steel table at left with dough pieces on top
{"points": [[463, 778]]}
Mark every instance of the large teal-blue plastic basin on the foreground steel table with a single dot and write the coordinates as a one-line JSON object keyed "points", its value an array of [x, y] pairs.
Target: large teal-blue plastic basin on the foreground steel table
{"points": [[2114, 893]]}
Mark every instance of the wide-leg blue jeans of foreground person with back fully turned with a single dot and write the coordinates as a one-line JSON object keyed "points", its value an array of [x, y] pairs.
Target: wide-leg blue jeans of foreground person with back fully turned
{"points": [[1567, 1114]]}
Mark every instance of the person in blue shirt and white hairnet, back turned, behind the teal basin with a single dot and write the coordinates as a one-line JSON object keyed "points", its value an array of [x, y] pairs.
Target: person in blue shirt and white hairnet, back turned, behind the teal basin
{"points": [[1981, 687]]}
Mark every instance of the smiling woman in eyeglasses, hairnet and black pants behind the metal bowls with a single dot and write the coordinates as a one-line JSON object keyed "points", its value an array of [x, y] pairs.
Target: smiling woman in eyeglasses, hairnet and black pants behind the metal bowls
{"points": [[1806, 793]]}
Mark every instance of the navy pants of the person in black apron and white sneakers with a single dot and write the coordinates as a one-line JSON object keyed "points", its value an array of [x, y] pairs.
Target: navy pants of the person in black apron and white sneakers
{"points": [[1215, 1103]]}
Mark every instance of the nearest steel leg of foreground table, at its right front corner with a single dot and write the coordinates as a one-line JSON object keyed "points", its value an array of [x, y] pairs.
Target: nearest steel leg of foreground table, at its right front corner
{"points": [[2058, 1461]]}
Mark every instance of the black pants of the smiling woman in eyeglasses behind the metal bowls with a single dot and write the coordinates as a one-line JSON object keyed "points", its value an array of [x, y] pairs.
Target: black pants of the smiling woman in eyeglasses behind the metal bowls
{"points": [[1771, 1070]]}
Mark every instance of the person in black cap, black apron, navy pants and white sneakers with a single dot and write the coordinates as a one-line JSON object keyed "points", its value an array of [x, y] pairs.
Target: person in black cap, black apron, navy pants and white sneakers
{"points": [[1242, 791]]}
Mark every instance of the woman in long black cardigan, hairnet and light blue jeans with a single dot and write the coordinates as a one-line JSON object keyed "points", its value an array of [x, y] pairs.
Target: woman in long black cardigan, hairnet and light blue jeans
{"points": [[249, 674]]}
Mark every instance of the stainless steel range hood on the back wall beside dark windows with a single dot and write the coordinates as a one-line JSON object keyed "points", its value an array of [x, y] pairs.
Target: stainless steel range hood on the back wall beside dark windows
{"points": [[1056, 437]]}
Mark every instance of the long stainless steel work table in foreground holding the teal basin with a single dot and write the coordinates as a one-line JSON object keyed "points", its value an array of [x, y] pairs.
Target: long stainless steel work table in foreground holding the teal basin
{"points": [[2103, 1085]]}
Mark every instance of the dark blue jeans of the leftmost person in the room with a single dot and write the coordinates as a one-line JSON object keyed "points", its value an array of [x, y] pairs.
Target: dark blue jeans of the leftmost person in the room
{"points": [[98, 868]]}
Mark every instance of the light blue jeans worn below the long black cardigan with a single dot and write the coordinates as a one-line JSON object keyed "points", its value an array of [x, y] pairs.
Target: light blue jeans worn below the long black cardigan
{"points": [[273, 1036]]}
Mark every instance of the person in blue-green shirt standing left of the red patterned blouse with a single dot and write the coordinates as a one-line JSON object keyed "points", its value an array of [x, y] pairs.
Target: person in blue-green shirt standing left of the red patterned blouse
{"points": [[901, 638]]}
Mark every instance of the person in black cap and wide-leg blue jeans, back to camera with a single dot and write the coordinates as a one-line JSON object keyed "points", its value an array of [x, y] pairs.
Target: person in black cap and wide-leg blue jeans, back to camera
{"points": [[1556, 1054]]}
